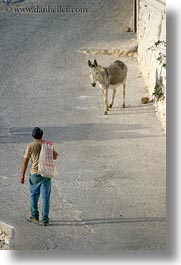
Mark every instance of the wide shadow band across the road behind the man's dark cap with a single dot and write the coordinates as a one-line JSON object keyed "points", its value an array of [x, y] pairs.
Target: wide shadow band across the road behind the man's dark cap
{"points": [[78, 132]]}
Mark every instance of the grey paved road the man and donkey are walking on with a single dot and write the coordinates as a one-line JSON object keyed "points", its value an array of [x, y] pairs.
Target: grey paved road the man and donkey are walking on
{"points": [[110, 193]]}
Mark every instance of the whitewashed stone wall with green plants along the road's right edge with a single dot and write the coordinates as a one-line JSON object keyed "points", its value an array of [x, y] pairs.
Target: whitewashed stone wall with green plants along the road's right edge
{"points": [[152, 29]]}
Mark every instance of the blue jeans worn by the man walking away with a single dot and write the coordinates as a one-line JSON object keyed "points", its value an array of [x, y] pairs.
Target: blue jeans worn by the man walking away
{"points": [[40, 185]]}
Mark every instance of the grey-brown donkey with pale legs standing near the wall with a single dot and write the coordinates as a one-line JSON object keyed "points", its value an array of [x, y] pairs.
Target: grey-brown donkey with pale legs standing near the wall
{"points": [[109, 77]]}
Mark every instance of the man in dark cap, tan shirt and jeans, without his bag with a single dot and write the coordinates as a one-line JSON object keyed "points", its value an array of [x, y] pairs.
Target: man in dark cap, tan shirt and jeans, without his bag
{"points": [[38, 184]]}
